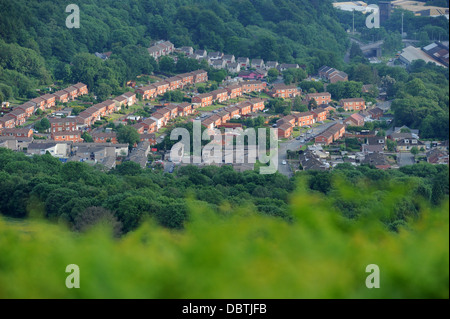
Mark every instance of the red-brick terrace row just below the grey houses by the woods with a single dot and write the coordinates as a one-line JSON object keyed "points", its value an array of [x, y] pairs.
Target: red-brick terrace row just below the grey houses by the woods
{"points": [[173, 83]]}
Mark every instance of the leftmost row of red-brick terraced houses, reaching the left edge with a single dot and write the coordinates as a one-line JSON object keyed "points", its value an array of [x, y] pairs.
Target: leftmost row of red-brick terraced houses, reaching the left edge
{"points": [[21, 113]]}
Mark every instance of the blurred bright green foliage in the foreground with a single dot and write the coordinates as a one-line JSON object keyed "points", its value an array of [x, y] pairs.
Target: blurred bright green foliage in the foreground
{"points": [[234, 254]]}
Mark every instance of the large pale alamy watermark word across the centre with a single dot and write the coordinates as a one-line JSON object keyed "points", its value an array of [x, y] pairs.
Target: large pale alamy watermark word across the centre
{"points": [[226, 148]]}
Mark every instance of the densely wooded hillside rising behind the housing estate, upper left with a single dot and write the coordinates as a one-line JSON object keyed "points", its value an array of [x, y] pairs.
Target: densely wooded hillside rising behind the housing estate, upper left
{"points": [[305, 31]]}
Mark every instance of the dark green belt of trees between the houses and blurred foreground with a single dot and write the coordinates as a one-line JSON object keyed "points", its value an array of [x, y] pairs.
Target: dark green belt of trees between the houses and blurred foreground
{"points": [[75, 192]]}
